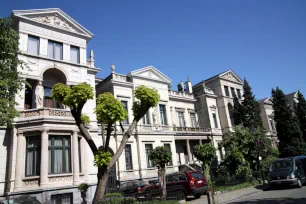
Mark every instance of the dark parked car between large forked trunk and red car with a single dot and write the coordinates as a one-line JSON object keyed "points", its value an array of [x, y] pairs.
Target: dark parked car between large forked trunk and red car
{"points": [[131, 188]]}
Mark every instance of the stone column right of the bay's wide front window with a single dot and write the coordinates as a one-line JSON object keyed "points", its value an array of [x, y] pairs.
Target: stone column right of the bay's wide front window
{"points": [[76, 169]]}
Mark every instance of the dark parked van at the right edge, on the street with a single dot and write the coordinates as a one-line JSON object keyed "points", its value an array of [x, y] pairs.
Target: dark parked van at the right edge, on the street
{"points": [[289, 171]]}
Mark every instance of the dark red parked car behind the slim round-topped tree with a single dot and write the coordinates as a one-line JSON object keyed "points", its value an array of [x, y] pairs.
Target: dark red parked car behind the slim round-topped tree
{"points": [[187, 183]]}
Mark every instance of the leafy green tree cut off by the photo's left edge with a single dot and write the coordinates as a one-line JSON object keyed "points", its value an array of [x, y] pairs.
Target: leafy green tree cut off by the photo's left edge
{"points": [[10, 80]]}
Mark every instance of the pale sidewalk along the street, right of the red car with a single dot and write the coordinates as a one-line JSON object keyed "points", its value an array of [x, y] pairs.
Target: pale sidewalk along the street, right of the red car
{"points": [[226, 197]]}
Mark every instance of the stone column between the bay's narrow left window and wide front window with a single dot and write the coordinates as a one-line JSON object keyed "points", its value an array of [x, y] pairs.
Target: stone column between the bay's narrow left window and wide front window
{"points": [[44, 159]]}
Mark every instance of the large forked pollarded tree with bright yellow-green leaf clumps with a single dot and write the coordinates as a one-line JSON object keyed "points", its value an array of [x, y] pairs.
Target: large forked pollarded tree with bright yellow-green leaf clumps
{"points": [[109, 111]]}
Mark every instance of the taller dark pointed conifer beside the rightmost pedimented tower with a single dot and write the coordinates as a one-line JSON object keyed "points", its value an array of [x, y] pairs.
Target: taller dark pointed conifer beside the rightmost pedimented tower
{"points": [[251, 109]]}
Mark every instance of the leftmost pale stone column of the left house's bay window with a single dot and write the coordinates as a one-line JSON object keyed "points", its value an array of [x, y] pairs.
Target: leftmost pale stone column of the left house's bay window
{"points": [[20, 159]]}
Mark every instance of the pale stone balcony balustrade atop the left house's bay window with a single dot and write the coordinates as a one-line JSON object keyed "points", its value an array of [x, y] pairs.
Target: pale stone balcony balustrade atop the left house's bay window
{"points": [[45, 114]]}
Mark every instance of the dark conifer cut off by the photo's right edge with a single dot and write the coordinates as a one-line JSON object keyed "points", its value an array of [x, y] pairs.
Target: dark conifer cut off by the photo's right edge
{"points": [[300, 111]]}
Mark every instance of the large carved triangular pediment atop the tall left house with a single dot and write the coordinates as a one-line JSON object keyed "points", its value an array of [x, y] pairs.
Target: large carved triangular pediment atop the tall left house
{"points": [[55, 18]]}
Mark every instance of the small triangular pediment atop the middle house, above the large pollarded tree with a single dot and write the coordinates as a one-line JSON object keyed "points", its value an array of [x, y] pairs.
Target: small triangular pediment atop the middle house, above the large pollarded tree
{"points": [[152, 73]]}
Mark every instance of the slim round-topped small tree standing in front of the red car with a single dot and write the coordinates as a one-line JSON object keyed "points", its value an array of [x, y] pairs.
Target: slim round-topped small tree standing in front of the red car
{"points": [[161, 156]]}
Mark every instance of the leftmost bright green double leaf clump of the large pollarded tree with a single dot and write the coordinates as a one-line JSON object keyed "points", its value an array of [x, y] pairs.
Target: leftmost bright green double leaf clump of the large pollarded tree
{"points": [[74, 96]]}
